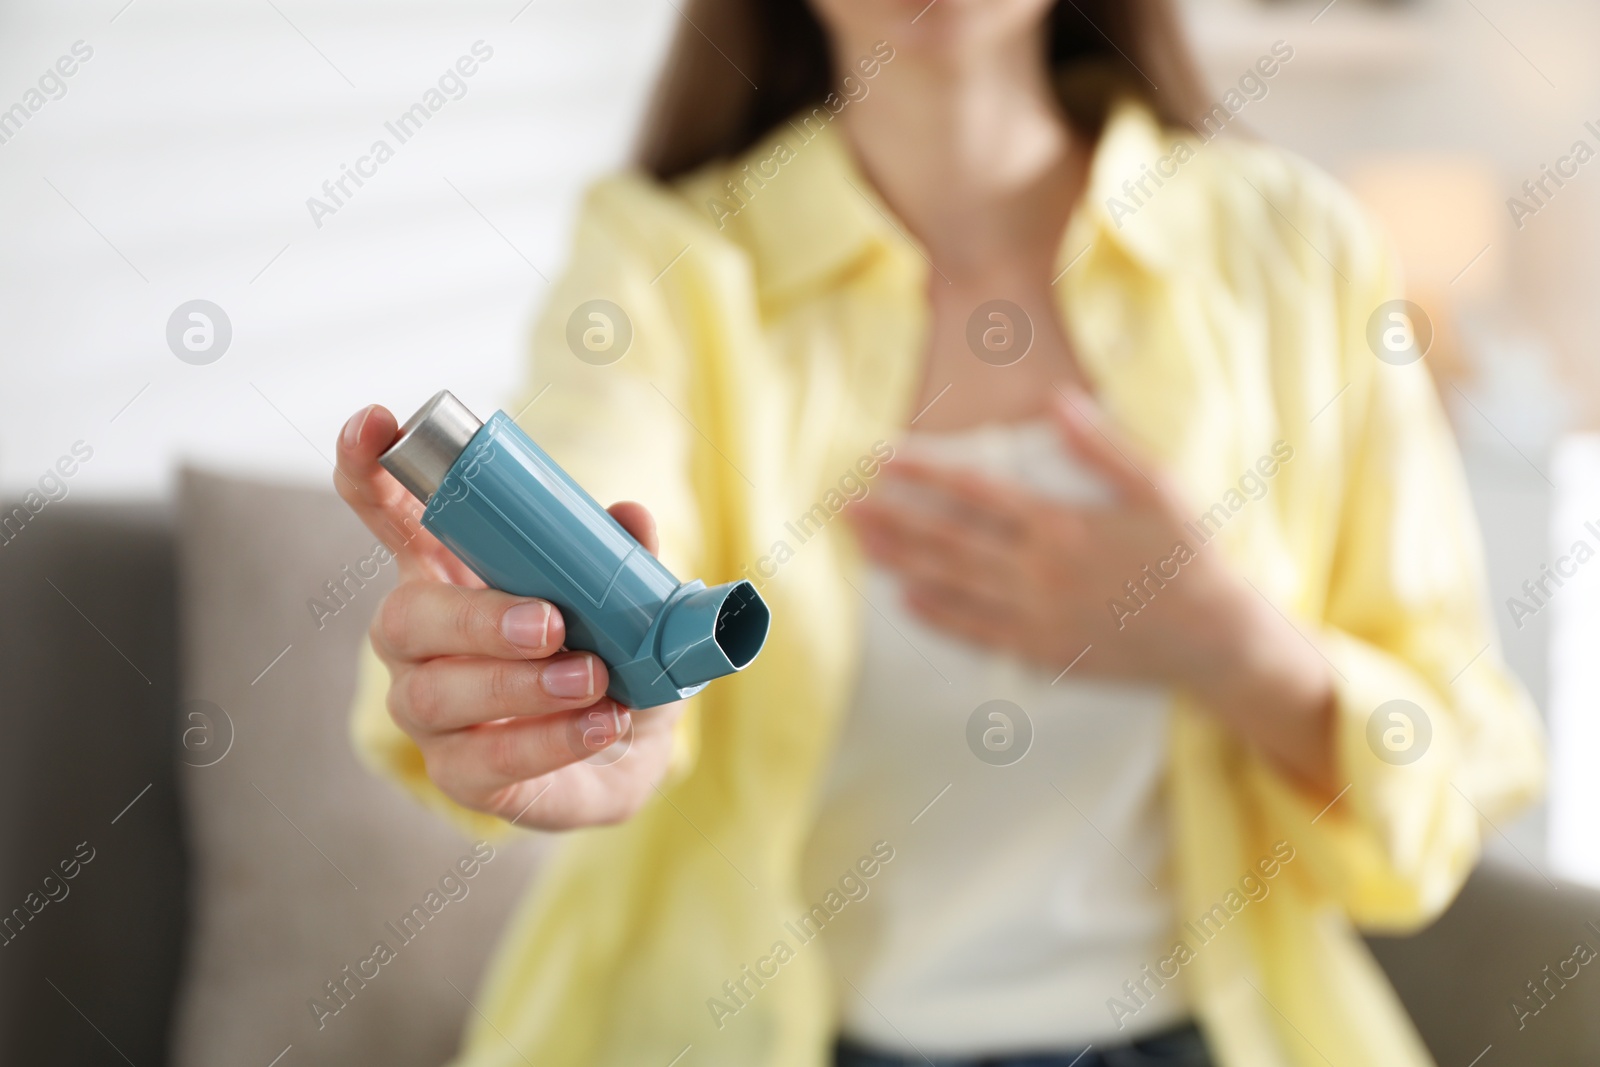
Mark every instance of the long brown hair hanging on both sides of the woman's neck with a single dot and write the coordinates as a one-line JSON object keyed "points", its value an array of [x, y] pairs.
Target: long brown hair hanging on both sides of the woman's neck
{"points": [[708, 105]]}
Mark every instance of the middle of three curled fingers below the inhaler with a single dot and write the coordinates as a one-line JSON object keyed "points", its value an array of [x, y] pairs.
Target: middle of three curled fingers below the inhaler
{"points": [[457, 692]]}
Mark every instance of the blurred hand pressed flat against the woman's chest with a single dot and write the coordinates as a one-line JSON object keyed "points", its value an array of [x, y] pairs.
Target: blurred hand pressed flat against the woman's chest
{"points": [[1126, 588]]}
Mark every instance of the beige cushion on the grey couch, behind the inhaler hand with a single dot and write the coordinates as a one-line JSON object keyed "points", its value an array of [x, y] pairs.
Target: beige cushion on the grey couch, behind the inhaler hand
{"points": [[303, 861]]}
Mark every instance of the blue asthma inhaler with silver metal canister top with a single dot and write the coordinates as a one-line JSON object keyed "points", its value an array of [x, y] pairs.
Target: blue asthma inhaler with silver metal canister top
{"points": [[511, 514]]}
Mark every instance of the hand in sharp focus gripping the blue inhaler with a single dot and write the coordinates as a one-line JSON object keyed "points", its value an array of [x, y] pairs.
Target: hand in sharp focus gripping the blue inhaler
{"points": [[505, 719]]}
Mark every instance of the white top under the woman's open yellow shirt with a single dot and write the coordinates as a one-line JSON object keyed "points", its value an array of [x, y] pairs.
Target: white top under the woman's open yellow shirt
{"points": [[1020, 897]]}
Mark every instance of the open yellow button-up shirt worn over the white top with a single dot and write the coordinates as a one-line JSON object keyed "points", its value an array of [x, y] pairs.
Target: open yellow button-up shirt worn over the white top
{"points": [[775, 342]]}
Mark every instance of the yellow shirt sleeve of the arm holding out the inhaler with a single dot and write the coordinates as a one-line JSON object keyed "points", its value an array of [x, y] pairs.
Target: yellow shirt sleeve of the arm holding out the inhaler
{"points": [[609, 398]]}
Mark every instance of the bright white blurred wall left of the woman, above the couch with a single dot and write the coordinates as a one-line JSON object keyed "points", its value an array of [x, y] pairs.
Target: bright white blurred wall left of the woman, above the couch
{"points": [[191, 143]]}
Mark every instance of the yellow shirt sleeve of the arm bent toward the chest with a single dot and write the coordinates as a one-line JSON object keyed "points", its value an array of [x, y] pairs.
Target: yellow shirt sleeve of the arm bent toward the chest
{"points": [[1434, 738]]}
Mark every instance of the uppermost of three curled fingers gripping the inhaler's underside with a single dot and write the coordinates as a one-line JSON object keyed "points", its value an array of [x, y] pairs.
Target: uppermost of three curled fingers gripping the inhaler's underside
{"points": [[422, 620]]}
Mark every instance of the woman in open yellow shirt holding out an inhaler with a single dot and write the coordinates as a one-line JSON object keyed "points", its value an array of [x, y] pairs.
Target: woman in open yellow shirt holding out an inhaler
{"points": [[1106, 713]]}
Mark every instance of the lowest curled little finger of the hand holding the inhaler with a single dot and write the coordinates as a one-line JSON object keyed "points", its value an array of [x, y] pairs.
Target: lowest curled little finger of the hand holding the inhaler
{"points": [[484, 761]]}
